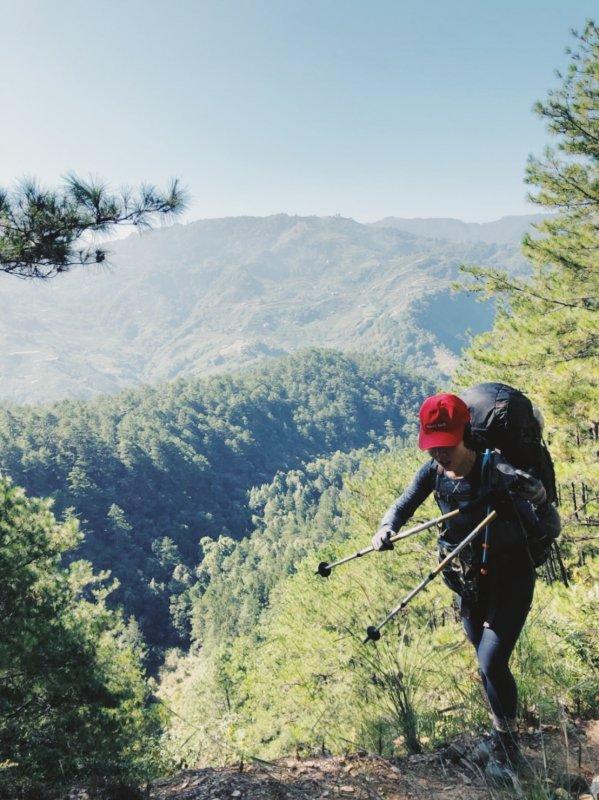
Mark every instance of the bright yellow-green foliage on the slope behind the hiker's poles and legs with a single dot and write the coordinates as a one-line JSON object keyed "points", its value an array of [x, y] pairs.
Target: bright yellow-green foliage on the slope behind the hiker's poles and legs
{"points": [[301, 680]]}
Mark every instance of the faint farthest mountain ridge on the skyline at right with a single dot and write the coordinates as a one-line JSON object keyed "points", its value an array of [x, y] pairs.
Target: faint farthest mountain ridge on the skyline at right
{"points": [[502, 231]]}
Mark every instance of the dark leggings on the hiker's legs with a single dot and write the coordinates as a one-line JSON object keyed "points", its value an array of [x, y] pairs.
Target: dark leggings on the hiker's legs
{"points": [[493, 626]]}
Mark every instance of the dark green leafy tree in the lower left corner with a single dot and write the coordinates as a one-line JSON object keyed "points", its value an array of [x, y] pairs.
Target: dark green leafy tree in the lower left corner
{"points": [[73, 702]]}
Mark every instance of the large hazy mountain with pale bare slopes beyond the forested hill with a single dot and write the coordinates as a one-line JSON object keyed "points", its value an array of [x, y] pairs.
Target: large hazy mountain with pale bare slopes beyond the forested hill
{"points": [[219, 294]]}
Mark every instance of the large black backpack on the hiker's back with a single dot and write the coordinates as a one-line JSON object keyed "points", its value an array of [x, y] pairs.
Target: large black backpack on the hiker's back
{"points": [[503, 418]]}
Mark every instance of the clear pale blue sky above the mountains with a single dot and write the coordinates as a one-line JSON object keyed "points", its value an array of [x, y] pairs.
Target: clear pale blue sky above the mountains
{"points": [[366, 109]]}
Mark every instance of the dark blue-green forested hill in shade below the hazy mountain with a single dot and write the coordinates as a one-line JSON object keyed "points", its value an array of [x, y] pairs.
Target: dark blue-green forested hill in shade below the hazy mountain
{"points": [[151, 472]]}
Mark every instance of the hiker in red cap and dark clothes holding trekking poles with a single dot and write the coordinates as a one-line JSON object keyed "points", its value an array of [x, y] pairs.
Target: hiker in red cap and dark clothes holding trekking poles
{"points": [[496, 590]]}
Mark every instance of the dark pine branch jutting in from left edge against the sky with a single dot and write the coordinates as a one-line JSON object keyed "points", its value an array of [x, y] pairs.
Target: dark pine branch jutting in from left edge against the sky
{"points": [[42, 231]]}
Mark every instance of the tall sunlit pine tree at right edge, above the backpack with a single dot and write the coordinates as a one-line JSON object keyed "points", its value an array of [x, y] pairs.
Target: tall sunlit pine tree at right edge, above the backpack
{"points": [[545, 337]]}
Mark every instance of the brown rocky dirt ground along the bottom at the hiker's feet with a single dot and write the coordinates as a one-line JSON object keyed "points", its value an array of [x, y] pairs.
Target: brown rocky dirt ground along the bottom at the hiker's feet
{"points": [[564, 761]]}
